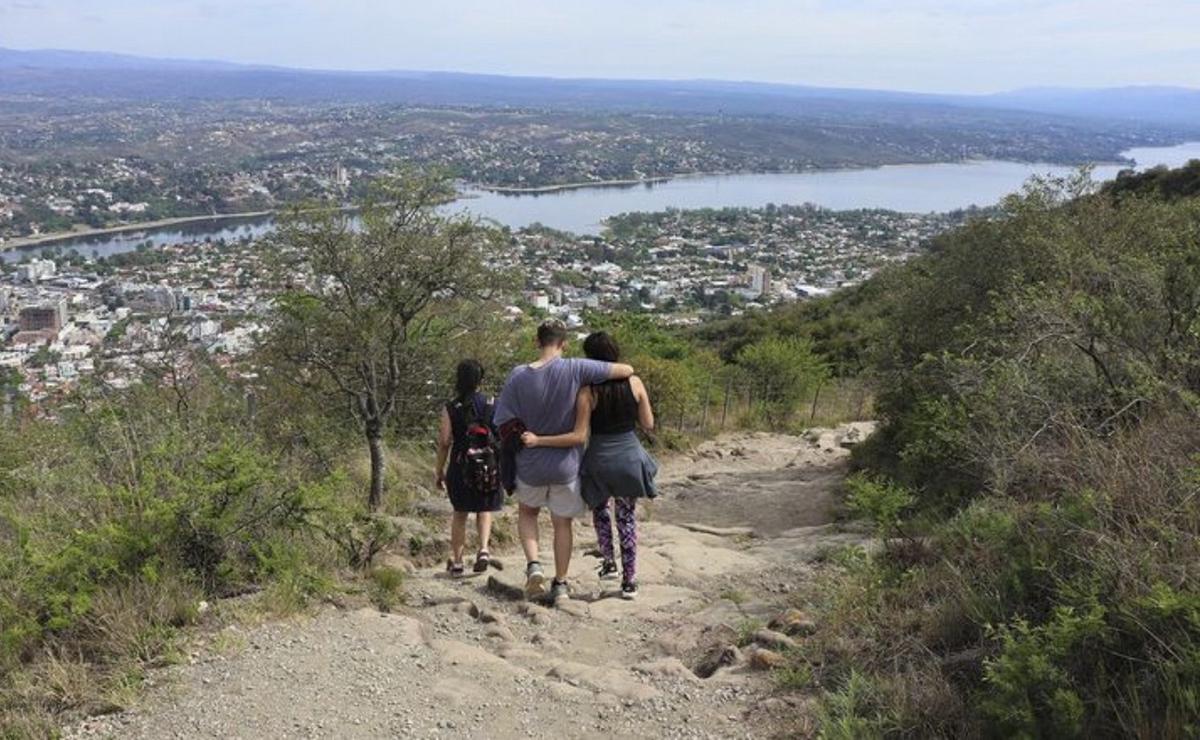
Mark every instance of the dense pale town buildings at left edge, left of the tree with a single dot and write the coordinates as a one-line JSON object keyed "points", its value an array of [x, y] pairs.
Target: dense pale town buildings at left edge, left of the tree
{"points": [[109, 320]]}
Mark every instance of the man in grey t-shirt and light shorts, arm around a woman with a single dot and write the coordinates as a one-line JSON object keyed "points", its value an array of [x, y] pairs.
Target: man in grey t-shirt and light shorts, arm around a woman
{"points": [[542, 395]]}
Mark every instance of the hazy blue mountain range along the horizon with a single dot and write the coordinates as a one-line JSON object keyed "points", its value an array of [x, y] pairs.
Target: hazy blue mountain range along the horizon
{"points": [[101, 75]]}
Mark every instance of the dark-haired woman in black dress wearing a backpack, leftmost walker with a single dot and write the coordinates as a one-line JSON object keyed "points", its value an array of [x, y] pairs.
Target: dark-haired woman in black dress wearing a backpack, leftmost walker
{"points": [[469, 466]]}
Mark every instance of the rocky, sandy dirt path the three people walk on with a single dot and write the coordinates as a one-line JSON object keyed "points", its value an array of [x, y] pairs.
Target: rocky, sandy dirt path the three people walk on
{"points": [[733, 536]]}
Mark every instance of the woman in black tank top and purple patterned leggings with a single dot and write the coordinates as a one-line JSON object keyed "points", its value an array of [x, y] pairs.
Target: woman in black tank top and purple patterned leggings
{"points": [[616, 466]]}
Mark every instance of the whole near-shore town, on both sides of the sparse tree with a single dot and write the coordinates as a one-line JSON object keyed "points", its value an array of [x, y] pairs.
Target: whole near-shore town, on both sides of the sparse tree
{"points": [[70, 317]]}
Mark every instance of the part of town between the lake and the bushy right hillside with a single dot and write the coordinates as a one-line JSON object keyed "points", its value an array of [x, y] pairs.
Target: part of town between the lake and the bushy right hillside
{"points": [[691, 266]]}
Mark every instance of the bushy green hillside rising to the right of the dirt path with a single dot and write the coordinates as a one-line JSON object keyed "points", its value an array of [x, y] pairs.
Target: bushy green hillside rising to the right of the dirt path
{"points": [[1035, 479]]}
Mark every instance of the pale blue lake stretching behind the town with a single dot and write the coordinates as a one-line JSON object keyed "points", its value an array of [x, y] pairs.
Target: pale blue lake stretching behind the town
{"points": [[904, 188]]}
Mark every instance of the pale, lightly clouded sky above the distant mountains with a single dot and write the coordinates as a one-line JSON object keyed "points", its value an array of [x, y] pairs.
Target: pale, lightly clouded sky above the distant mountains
{"points": [[937, 46]]}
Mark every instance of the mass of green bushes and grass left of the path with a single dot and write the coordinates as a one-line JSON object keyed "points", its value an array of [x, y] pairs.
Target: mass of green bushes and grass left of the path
{"points": [[122, 516]]}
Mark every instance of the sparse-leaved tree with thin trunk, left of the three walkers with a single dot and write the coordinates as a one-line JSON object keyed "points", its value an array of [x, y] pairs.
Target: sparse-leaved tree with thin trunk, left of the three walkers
{"points": [[381, 299]]}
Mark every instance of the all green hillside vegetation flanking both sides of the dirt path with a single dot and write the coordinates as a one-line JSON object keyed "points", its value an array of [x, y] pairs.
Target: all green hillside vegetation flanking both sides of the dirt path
{"points": [[1034, 484]]}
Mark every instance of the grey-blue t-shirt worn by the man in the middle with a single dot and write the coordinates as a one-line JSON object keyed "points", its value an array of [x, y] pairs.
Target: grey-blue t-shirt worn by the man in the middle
{"points": [[544, 400]]}
